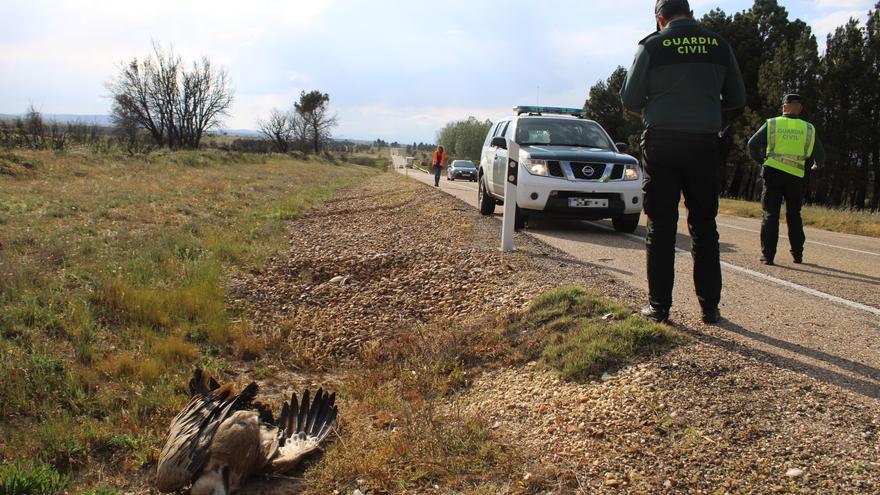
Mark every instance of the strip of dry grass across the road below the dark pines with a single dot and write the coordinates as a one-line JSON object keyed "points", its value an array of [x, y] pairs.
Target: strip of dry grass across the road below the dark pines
{"points": [[845, 221]]}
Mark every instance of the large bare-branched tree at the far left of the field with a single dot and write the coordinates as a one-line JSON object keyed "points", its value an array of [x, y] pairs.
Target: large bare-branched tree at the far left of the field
{"points": [[174, 105]]}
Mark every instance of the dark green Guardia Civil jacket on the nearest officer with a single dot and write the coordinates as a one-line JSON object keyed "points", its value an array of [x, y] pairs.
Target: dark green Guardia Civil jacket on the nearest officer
{"points": [[682, 78]]}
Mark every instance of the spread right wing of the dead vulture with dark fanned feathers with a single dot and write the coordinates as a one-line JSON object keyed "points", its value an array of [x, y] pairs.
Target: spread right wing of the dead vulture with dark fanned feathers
{"points": [[304, 425]]}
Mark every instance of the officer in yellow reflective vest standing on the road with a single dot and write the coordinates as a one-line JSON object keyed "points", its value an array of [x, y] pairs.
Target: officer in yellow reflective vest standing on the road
{"points": [[786, 145]]}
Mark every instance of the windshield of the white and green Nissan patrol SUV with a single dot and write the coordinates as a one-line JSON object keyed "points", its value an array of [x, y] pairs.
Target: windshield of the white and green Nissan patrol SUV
{"points": [[561, 132]]}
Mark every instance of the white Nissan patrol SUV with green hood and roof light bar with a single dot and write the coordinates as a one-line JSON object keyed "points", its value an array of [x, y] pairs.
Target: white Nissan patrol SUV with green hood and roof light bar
{"points": [[568, 168]]}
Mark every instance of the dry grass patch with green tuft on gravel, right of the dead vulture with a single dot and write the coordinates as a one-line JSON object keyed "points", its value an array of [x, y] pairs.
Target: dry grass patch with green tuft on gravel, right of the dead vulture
{"points": [[395, 436]]}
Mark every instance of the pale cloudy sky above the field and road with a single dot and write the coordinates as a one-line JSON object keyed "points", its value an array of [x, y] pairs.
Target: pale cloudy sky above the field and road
{"points": [[396, 70]]}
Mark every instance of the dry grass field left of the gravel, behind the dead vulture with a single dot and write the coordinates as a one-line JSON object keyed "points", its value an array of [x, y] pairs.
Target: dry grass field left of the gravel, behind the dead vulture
{"points": [[112, 286]]}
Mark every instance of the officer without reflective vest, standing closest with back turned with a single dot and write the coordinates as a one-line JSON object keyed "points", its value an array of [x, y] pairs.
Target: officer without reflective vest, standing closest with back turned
{"points": [[682, 77]]}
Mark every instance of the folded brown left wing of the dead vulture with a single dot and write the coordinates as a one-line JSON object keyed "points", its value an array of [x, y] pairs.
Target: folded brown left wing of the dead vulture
{"points": [[192, 431]]}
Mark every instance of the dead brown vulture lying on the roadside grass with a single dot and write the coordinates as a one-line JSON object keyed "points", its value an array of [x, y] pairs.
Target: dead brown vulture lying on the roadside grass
{"points": [[222, 437]]}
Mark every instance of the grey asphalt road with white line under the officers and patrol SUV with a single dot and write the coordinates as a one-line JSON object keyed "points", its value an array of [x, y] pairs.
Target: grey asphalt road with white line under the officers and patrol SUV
{"points": [[821, 318]]}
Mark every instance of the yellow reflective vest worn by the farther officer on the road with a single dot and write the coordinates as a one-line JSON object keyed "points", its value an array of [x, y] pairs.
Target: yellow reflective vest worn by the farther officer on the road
{"points": [[789, 143]]}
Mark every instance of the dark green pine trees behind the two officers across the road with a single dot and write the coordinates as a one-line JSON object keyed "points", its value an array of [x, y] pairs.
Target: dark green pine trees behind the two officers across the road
{"points": [[841, 91]]}
